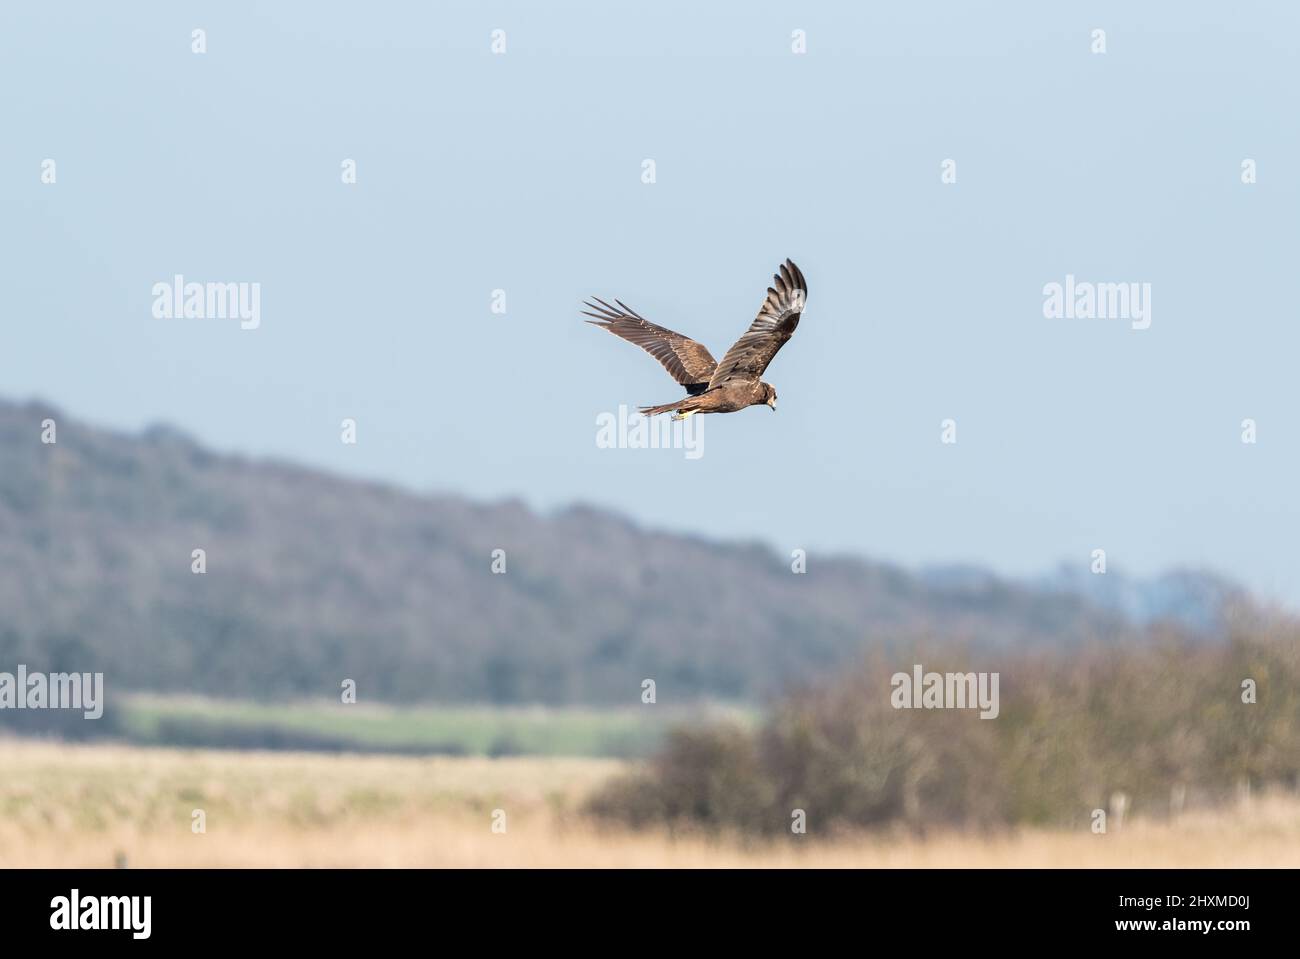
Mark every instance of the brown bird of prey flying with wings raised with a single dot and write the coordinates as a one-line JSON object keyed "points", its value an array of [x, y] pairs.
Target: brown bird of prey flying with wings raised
{"points": [[713, 387]]}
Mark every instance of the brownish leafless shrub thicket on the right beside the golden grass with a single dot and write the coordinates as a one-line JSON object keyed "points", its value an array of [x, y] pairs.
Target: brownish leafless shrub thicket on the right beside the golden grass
{"points": [[1073, 730]]}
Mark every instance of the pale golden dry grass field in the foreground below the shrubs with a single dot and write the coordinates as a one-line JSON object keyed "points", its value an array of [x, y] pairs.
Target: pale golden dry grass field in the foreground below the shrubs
{"points": [[89, 806]]}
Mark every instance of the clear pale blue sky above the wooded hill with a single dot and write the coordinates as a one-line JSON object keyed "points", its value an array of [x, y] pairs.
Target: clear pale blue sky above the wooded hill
{"points": [[523, 172]]}
